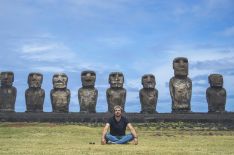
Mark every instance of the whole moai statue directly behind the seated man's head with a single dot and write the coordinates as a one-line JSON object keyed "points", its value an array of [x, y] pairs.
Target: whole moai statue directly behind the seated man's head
{"points": [[116, 94]]}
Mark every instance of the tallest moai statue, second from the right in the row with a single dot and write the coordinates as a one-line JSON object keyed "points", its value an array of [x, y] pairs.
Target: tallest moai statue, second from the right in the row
{"points": [[180, 86]]}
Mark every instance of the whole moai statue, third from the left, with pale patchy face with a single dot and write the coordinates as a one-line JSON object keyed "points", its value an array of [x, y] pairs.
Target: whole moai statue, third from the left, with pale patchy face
{"points": [[60, 95]]}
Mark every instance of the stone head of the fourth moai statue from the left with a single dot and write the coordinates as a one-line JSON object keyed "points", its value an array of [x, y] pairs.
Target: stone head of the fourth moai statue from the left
{"points": [[88, 78]]}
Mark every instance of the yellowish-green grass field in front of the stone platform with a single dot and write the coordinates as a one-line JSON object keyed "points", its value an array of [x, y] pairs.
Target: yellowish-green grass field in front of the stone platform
{"points": [[74, 139]]}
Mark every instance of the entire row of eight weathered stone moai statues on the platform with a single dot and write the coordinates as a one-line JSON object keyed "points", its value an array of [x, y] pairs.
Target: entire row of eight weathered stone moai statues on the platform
{"points": [[180, 90]]}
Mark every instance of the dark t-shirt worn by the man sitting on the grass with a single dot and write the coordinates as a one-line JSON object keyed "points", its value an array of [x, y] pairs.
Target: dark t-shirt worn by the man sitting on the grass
{"points": [[118, 128]]}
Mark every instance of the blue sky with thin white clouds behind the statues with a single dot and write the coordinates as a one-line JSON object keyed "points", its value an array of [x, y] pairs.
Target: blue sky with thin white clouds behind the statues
{"points": [[135, 37]]}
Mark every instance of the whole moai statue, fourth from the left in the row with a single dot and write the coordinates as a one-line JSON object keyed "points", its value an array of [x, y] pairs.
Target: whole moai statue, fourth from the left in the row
{"points": [[87, 95]]}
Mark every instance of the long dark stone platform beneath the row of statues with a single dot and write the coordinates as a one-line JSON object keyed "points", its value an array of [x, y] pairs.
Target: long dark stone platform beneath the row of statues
{"points": [[102, 117]]}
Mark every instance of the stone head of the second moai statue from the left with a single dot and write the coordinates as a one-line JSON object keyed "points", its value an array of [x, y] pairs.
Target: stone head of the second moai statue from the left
{"points": [[35, 80]]}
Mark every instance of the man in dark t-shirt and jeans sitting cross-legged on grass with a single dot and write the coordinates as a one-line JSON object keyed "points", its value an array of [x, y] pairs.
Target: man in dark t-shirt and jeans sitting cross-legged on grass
{"points": [[117, 125]]}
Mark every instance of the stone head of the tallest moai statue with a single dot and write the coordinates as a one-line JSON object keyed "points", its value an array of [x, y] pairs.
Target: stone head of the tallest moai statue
{"points": [[180, 66]]}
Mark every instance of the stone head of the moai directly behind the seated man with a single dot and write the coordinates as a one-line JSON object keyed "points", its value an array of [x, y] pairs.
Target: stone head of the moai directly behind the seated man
{"points": [[116, 80]]}
